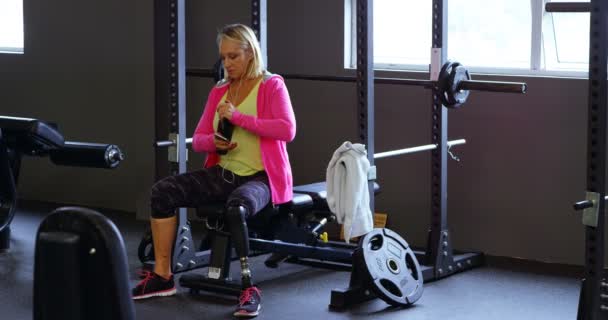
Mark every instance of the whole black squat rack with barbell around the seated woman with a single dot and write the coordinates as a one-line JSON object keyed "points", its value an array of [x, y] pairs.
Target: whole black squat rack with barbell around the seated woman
{"points": [[439, 260]]}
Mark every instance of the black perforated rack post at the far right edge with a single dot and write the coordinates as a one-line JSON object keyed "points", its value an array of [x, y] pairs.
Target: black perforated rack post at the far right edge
{"points": [[593, 302]]}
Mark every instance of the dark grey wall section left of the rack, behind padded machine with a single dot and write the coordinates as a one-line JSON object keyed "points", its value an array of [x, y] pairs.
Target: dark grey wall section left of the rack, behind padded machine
{"points": [[88, 67]]}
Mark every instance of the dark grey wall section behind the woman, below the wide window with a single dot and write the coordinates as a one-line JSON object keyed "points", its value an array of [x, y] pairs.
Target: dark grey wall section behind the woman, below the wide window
{"points": [[520, 172]]}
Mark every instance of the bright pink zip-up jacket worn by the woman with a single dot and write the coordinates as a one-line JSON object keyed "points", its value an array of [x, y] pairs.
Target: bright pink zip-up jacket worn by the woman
{"points": [[275, 124]]}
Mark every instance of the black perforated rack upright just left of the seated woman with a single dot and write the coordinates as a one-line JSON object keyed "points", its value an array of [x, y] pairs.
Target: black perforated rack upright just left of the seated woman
{"points": [[170, 104]]}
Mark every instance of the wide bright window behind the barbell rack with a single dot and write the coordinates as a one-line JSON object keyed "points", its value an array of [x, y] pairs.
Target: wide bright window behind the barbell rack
{"points": [[498, 36]]}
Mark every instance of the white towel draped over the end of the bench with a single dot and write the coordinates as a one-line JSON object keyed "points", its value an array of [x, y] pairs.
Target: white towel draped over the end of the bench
{"points": [[347, 189]]}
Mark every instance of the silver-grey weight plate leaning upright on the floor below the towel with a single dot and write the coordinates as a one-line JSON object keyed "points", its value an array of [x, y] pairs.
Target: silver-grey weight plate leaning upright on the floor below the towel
{"points": [[390, 267]]}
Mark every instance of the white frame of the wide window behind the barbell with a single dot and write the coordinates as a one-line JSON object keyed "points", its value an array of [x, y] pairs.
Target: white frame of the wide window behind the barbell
{"points": [[542, 37]]}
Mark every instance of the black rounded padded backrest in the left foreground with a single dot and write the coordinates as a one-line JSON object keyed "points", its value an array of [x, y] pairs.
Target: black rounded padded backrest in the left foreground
{"points": [[80, 269]]}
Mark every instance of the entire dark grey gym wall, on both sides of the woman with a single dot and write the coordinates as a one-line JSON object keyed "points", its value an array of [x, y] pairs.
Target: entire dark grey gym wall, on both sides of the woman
{"points": [[90, 68]]}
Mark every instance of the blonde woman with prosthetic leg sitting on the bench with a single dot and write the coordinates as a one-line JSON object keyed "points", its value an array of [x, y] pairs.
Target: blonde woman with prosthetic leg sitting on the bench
{"points": [[248, 170]]}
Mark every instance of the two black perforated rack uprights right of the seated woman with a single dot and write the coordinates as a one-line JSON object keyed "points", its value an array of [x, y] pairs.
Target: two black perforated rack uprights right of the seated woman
{"points": [[439, 260]]}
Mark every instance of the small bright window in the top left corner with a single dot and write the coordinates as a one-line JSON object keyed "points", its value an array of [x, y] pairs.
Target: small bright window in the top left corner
{"points": [[11, 26]]}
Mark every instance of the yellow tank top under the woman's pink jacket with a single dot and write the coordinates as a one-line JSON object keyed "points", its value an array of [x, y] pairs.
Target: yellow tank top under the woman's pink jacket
{"points": [[246, 158]]}
